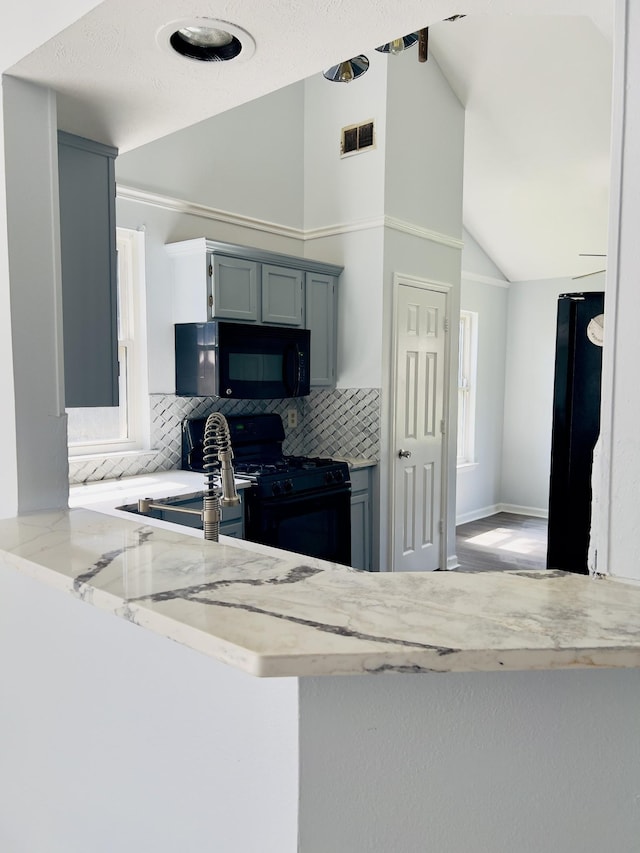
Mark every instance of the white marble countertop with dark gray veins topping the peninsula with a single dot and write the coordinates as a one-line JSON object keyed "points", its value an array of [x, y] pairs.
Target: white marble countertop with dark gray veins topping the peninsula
{"points": [[272, 613]]}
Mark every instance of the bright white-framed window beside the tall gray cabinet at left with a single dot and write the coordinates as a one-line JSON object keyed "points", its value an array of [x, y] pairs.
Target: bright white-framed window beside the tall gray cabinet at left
{"points": [[122, 428]]}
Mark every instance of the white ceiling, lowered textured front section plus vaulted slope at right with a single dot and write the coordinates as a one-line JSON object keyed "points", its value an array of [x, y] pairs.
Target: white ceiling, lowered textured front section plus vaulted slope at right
{"points": [[536, 93]]}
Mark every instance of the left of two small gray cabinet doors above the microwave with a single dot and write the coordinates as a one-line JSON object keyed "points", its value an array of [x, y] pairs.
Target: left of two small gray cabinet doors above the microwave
{"points": [[235, 289]]}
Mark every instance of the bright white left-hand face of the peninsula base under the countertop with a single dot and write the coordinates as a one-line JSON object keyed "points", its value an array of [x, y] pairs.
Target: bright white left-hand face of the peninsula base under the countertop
{"points": [[114, 738]]}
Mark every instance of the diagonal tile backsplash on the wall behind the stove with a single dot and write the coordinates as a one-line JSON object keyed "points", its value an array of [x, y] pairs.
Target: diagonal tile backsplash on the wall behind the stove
{"points": [[344, 422]]}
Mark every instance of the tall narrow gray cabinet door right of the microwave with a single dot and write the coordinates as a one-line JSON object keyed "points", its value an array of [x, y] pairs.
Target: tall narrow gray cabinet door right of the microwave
{"points": [[320, 301]]}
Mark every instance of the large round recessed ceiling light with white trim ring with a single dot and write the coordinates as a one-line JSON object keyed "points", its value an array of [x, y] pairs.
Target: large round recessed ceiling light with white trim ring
{"points": [[206, 40]]}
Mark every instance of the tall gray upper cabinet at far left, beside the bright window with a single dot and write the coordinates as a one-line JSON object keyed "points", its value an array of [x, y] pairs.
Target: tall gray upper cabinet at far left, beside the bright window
{"points": [[86, 177]]}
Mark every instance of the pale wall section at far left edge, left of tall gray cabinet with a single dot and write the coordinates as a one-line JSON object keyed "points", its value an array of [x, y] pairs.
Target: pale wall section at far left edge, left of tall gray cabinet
{"points": [[39, 444]]}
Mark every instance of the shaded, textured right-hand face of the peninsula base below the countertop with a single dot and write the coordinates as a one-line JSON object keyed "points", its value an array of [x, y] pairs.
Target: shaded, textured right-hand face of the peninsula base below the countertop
{"points": [[493, 762]]}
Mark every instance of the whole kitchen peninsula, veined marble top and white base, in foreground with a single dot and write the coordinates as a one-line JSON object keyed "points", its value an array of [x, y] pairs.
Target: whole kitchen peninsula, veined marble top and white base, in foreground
{"points": [[136, 743]]}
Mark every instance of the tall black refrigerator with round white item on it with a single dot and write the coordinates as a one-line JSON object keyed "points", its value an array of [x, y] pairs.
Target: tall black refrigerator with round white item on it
{"points": [[576, 425]]}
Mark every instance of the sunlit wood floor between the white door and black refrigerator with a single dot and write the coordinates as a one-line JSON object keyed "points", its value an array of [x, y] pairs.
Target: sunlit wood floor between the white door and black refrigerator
{"points": [[501, 542]]}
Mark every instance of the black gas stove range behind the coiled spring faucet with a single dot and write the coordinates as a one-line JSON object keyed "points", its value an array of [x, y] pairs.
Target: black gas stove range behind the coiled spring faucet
{"points": [[297, 503]]}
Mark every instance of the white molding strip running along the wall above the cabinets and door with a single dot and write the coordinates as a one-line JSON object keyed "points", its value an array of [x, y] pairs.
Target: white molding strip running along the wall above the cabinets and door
{"points": [[177, 205]]}
